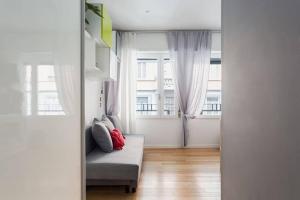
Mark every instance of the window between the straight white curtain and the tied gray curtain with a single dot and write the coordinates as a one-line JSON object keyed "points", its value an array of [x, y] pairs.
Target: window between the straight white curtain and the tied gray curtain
{"points": [[155, 86]]}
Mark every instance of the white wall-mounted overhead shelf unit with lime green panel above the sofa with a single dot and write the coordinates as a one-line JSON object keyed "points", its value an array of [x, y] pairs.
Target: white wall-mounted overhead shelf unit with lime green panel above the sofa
{"points": [[99, 57]]}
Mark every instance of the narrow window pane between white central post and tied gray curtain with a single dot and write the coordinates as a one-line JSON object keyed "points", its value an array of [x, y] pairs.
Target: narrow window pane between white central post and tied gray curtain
{"points": [[169, 92]]}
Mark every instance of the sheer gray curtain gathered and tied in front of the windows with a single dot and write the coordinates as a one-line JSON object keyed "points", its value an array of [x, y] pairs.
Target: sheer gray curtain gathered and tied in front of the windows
{"points": [[190, 54]]}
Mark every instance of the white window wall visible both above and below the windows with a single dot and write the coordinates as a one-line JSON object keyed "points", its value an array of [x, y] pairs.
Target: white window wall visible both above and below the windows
{"points": [[168, 132]]}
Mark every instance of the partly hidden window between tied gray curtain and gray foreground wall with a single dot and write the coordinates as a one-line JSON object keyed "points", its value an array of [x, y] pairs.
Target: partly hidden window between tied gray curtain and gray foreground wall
{"points": [[213, 101]]}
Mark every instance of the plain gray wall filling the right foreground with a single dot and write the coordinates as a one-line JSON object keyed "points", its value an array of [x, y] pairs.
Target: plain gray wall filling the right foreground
{"points": [[261, 115]]}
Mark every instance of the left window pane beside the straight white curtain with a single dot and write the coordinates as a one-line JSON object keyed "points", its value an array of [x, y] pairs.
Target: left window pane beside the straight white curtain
{"points": [[147, 87]]}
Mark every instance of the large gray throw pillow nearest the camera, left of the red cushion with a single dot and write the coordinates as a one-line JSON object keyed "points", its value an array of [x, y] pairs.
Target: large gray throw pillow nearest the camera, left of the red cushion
{"points": [[102, 136]]}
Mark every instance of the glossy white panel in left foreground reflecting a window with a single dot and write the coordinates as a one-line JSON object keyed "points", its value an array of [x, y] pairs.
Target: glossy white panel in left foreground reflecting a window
{"points": [[40, 100]]}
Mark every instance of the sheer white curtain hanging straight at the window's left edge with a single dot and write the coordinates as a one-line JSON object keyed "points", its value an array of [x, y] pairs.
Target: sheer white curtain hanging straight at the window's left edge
{"points": [[128, 81]]}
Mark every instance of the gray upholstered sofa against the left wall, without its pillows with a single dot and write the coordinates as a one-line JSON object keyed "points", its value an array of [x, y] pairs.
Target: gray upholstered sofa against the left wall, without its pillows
{"points": [[120, 167]]}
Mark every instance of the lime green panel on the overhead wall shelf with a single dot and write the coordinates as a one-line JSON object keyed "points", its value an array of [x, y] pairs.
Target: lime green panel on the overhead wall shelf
{"points": [[106, 27]]}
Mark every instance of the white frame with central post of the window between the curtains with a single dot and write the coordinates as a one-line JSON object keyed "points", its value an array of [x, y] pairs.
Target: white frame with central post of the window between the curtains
{"points": [[161, 57]]}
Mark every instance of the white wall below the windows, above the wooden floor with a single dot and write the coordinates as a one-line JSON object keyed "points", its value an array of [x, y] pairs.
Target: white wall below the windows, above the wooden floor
{"points": [[204, 133]]}
